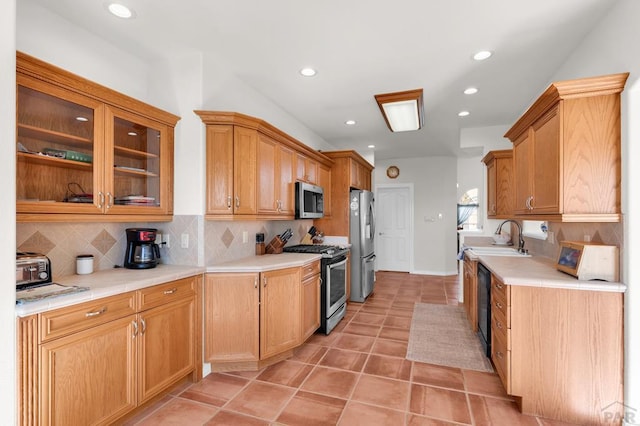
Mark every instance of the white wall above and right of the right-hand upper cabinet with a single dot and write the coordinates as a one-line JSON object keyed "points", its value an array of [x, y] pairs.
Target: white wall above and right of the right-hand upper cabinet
{"points": [[612, 47]]}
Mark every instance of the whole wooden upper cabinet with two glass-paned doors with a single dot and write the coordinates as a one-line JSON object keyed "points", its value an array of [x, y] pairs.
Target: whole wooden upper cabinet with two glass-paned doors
{"points": [[87, 153]]}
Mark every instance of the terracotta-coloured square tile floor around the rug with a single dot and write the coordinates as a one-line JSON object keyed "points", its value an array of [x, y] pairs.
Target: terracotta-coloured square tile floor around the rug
{"points": [[357, 375]]}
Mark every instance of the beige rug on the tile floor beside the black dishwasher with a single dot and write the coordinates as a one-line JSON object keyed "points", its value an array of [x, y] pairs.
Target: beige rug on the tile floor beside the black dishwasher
{"points": [[440, 334]]}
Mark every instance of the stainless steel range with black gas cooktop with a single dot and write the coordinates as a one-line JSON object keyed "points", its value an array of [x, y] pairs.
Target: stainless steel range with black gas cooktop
{"points": [[333, 296]]}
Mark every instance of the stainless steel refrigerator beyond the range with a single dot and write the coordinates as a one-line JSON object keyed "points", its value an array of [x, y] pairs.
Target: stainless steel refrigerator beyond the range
{"points": [[361, 235]]}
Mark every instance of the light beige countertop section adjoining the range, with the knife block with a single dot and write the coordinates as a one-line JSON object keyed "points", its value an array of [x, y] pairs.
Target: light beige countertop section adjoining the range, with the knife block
{"points": [[267, 262]]}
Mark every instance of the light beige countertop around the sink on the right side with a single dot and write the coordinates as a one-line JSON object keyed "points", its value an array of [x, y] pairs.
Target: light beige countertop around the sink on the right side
{"points": [[539, 271]]}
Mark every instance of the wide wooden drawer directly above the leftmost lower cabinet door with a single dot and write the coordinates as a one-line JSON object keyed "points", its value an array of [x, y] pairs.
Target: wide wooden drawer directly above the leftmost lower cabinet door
{"points": [[63, 321]]}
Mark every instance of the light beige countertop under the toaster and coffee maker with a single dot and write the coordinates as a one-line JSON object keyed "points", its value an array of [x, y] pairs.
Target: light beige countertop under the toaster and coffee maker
{"points": [[108, 283]]}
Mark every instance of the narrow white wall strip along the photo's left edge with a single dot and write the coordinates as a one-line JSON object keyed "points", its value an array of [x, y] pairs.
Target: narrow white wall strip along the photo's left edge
{"points": [[7, 212]]}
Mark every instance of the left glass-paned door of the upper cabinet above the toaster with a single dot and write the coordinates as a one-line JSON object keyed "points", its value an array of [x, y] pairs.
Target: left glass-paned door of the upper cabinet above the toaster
{"points": [[58, 150]]}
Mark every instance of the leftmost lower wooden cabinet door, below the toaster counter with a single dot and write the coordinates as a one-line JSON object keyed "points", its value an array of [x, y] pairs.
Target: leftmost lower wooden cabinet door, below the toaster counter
{"points": [[88, 378]]}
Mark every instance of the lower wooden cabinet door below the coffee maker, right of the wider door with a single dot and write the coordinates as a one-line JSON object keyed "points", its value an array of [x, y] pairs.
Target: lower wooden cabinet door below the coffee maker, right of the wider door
{"points": [[166, 346]]}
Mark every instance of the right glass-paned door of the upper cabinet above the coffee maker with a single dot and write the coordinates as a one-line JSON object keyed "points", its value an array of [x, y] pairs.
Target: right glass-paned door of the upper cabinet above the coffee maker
{"points": [[137, 166]]}
